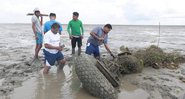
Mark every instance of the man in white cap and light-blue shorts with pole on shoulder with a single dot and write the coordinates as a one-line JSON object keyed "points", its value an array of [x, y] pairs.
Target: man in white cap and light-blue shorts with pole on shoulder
{"points": [[37, 29]]}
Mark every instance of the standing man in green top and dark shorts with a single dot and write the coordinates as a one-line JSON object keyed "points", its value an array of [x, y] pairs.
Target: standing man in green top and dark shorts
{"points": [[76, 32]]}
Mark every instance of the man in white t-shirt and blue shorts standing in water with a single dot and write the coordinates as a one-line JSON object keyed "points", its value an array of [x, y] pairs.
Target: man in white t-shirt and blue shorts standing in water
{"points": [[52, 50]]}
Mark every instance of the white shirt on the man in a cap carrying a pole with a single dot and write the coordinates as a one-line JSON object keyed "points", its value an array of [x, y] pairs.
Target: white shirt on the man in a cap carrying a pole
{"points": [[36, 21]]}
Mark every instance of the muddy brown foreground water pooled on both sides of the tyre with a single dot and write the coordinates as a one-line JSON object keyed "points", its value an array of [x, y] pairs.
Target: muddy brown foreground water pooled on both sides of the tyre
{"points": [[64, 84]]}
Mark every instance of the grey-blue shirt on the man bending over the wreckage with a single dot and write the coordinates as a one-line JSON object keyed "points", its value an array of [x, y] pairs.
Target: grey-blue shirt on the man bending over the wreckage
{"points": [[100, 33]]}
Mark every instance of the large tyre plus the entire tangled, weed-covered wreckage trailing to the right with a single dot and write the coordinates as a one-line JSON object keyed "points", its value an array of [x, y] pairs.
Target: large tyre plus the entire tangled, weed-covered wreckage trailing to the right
{"points": [[101, 77]]}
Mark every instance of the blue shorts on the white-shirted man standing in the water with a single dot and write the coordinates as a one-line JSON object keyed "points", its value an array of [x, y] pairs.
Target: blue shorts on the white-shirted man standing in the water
{"points": [[51, 58]]}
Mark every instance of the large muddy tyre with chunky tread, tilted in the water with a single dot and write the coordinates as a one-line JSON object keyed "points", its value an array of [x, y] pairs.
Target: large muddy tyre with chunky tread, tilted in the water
{"points": [[92, 79]]}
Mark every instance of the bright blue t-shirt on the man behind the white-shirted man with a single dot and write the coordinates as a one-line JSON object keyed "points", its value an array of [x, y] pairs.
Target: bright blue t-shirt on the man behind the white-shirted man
{"points": [[48, 24]]}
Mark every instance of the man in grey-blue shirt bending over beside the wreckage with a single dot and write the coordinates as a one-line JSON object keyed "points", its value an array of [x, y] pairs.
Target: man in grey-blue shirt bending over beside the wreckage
{"points": [[98, 36]]}
